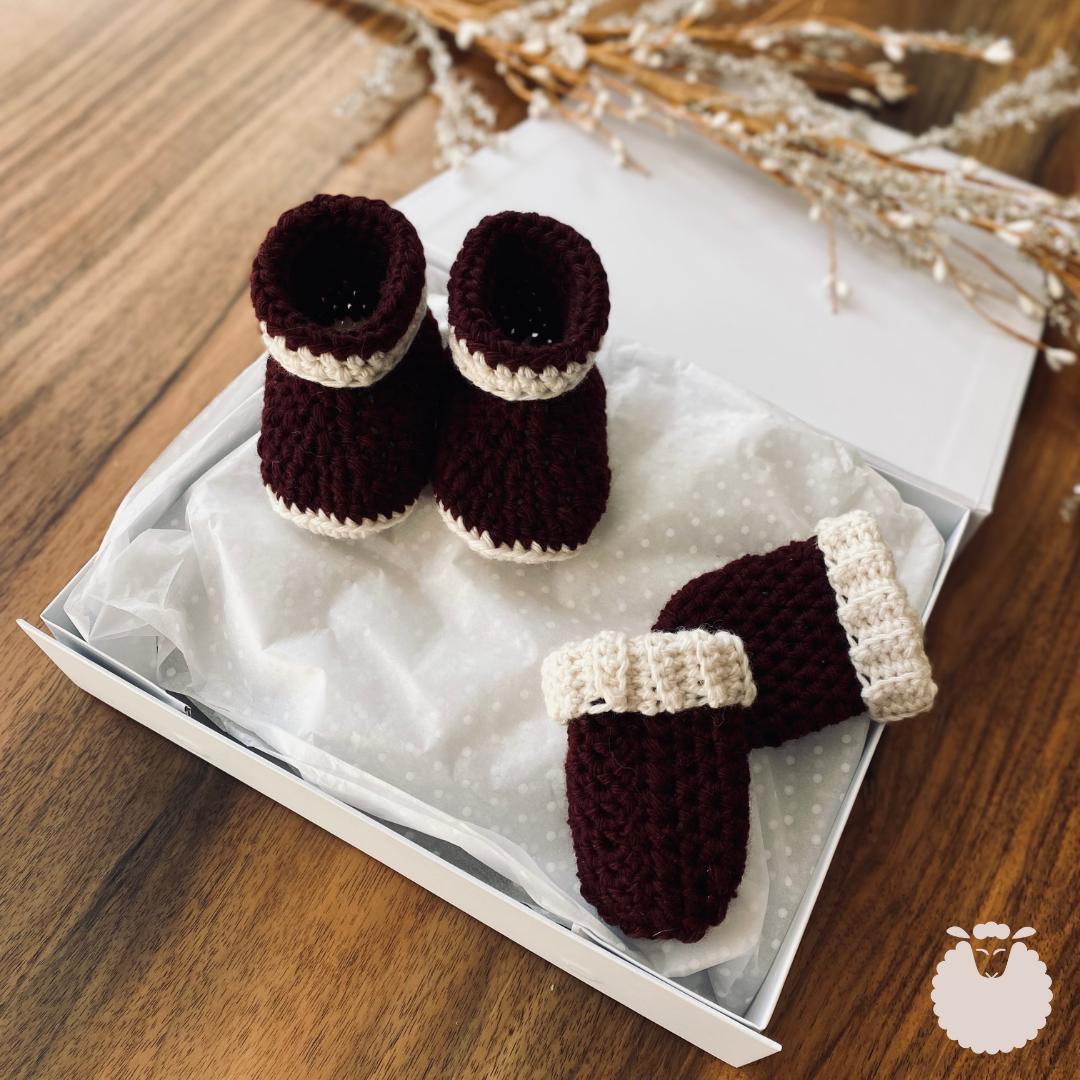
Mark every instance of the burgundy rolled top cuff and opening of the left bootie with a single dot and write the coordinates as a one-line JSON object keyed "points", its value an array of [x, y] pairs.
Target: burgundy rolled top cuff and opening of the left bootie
{"points": [[340, 259]]}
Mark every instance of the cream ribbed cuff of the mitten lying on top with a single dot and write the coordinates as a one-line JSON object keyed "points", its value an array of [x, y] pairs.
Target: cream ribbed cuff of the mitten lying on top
{"points": [[654, 673]]}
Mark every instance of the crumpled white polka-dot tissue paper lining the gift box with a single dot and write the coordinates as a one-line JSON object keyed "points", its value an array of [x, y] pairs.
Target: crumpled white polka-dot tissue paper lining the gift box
{"points": [[402, 673]]}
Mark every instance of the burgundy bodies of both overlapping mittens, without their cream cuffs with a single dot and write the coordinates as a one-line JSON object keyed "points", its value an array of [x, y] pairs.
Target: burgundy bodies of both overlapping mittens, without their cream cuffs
{"points": [[659, 807]]}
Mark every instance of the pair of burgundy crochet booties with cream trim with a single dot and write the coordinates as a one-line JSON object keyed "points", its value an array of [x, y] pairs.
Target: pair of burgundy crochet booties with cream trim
{"points": [[363, 407]]}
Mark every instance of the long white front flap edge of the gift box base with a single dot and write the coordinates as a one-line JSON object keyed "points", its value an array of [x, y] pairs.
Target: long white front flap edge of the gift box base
{"points": [[653, 997]]}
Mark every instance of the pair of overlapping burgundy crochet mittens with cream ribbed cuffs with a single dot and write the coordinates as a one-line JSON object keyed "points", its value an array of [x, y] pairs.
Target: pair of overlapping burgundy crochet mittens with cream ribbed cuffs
{"points": [[766, 650]]}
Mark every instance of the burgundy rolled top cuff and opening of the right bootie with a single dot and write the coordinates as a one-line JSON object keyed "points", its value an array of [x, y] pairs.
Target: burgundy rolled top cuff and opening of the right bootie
{"points": [[529, 292]]}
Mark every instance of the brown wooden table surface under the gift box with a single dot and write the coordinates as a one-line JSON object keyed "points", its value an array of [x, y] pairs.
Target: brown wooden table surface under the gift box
{"points": [[159, 920]]}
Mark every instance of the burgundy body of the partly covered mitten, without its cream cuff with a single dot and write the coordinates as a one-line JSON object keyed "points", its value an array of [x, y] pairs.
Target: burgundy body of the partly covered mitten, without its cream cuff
{"points": [[786, 612]]}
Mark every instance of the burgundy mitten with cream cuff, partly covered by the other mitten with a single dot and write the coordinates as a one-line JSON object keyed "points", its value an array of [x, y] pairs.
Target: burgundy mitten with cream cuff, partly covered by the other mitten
{"points": [[827, 626]]}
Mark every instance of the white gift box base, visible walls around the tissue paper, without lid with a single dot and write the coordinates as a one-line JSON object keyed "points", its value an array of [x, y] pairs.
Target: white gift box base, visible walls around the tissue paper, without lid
{"points": [[734, 1039]]}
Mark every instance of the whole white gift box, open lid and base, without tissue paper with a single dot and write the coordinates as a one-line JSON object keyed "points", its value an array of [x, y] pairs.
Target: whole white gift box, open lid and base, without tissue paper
{"points": [[686, 280]]}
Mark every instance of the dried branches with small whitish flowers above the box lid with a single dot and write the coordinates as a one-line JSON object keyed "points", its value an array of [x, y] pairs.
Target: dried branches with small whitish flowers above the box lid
{"points": [[752, 83]]}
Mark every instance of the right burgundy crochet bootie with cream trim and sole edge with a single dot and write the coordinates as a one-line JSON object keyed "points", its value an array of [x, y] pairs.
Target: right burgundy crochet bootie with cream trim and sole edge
{"points": [[522, 470]]}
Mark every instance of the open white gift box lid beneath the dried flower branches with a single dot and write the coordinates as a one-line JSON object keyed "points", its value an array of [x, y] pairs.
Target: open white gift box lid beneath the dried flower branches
{"points": [[712, 263]]}
